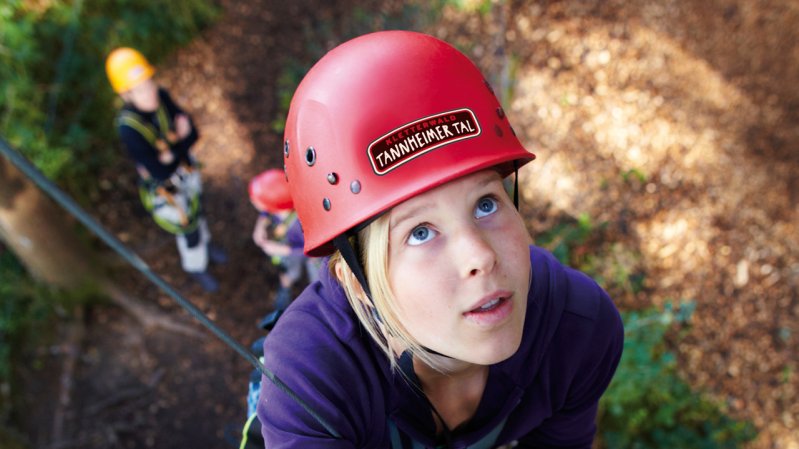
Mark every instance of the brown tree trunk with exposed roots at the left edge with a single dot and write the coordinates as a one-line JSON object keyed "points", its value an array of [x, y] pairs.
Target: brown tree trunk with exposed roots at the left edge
{"points": [[44, 238]]}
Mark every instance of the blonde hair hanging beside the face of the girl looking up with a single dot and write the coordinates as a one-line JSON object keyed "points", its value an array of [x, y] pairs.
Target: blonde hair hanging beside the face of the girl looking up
{"points": [[380, 316]]}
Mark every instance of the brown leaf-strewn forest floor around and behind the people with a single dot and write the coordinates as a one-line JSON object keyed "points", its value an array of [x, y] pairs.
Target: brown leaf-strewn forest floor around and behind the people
{"points": [[673, 121]]}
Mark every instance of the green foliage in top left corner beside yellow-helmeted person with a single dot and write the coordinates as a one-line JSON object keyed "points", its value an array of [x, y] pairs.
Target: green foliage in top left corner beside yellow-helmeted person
{"points": [[55, 103]]}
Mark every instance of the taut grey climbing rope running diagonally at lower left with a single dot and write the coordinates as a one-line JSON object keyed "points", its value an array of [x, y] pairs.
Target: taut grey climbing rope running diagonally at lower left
{"points": [[97, 229]]}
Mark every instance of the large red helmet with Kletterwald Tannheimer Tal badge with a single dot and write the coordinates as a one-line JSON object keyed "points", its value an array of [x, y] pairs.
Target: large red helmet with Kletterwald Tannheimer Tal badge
{"points": [[382, 118]]}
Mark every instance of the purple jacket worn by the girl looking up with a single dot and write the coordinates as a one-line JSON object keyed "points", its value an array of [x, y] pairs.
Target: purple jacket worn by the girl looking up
{"points": [[545, 395]]}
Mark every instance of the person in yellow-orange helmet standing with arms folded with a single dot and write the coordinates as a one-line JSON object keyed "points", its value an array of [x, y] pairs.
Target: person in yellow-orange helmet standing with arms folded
{"points": [[158, 136]]}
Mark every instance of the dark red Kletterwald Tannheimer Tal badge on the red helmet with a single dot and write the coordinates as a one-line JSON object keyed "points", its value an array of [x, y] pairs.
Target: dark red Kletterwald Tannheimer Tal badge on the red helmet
{"points": [[414, 139]]}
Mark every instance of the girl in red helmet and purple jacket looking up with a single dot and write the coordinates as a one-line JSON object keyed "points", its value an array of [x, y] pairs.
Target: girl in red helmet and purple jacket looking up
{"points": [[438, 323]]}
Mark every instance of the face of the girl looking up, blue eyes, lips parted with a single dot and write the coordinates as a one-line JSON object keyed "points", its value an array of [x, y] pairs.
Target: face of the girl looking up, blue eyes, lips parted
{"points": [[459, 268]]}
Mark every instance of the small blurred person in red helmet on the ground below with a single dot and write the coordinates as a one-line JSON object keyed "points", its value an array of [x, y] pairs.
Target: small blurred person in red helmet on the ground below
{"points": [[279, 234]]}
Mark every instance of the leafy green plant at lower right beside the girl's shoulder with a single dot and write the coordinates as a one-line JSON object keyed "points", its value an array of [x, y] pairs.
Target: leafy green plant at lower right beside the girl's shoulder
{"points": [[649, 406]]}
